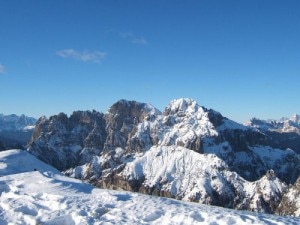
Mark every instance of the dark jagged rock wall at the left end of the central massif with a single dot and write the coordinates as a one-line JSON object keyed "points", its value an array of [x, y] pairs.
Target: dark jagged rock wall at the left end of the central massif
{"points": [[66, 142]]}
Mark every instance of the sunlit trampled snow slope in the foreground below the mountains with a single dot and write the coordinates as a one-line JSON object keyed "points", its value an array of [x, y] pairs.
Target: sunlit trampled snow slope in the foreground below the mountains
{"points": [[35, 193]]}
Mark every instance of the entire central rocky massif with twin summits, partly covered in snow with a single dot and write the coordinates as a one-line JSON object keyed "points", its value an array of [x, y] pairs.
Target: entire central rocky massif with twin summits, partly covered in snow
{"points": [[186, 152]]}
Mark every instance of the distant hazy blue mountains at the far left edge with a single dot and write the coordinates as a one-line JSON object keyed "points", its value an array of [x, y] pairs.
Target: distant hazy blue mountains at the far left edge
{"points": [[15, 131]]}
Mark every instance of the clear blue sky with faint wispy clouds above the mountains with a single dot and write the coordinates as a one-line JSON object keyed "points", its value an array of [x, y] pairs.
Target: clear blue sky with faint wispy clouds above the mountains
{"points": [[241, 58]]}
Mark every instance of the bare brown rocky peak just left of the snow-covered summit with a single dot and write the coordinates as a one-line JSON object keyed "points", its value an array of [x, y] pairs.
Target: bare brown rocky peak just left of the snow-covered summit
{"points": [[122, 122]]}
